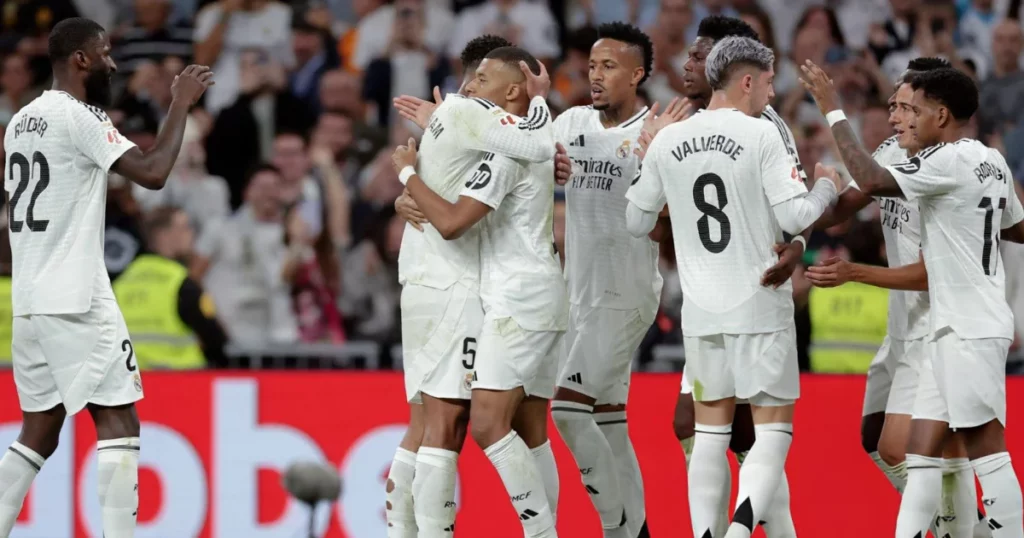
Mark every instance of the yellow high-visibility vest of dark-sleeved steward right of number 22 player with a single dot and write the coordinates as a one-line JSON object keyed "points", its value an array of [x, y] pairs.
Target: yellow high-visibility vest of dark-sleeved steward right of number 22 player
{"points": [[148, 294]]}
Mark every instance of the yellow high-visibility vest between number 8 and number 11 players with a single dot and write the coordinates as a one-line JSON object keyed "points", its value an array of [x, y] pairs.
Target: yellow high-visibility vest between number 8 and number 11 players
{"points": [[848, 325]]}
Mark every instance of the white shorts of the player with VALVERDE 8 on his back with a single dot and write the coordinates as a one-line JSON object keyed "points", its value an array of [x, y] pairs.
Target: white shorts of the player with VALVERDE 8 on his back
{"points": [[761, 368]]}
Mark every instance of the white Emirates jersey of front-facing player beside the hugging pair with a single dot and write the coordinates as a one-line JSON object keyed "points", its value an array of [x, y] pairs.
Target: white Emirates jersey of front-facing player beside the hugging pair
{"points": [[606, 266]]}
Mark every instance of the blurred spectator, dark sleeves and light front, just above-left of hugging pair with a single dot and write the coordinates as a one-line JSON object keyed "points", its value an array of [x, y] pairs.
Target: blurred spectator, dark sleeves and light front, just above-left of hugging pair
{"points": [[408, 68]]}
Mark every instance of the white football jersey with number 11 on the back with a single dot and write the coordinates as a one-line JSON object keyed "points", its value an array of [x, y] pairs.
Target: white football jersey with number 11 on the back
{"points": [[966, 195]]}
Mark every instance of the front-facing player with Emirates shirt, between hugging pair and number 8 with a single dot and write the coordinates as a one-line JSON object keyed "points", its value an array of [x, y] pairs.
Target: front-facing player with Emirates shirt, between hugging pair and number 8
{"points": [[614, 282]]}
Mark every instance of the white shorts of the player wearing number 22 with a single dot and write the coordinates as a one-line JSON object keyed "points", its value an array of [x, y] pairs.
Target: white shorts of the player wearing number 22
{"points": [[75, 359]]}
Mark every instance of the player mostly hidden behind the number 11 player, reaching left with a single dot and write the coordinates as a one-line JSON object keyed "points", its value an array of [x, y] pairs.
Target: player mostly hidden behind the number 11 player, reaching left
{"points": [[893, 377]]}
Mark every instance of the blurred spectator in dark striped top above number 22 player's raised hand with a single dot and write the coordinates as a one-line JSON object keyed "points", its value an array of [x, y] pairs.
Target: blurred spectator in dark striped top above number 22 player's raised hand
{"points": [[153, 37]]}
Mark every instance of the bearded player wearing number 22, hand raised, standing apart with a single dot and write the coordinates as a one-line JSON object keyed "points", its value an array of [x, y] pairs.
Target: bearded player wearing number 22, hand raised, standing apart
{"points": [[70, 348]]}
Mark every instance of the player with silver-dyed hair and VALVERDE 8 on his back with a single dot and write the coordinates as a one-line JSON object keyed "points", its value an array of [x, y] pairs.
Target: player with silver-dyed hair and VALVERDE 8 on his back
{"points": [[733, 189]]}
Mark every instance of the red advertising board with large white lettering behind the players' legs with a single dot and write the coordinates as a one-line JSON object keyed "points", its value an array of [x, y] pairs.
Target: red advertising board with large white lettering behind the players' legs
{"points": [[214, 445]]}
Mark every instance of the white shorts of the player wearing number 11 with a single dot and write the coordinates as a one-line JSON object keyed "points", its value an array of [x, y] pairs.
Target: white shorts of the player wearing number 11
{"points": [[963, 382]]}
